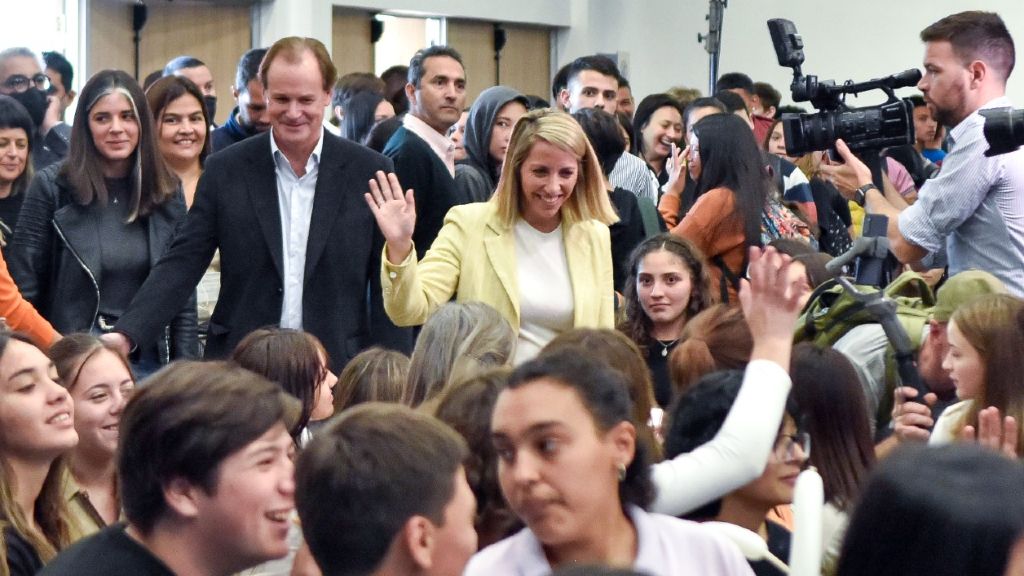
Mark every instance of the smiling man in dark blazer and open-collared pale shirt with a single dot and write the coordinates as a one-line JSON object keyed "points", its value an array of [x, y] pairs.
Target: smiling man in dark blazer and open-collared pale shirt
{"points": [[265, 203]]}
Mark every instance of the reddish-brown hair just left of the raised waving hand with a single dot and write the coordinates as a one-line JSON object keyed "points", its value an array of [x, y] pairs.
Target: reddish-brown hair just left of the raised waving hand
{"points": [[718, 339]]}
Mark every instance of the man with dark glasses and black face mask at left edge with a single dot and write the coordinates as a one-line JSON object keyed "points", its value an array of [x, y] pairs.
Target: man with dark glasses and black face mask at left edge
{"points": [[22, 78]]}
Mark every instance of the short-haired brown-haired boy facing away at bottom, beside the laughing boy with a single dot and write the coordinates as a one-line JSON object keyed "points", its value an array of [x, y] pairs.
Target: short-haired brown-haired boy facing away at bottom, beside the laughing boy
{"points": [[382, 491]]}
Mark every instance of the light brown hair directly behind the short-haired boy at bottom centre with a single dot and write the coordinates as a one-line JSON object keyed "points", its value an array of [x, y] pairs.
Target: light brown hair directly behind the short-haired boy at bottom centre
{"points": [[375, 375]]}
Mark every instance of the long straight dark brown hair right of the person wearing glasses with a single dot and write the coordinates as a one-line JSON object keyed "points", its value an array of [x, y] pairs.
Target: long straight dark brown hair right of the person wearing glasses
{"points": [[835, 414]]}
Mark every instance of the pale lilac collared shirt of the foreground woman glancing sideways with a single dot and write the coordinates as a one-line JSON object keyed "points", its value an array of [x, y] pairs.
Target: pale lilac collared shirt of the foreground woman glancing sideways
{"points": [[666, 547]]}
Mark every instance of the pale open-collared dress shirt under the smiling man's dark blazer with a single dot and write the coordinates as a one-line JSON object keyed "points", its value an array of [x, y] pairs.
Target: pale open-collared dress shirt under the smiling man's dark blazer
{"points": [[295, 202]]}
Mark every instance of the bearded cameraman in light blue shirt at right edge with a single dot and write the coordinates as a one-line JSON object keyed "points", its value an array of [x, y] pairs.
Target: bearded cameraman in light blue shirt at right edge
{"points": [[973, 207]]}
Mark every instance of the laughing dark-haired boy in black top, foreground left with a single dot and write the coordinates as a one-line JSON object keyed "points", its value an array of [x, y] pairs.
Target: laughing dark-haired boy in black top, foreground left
{"points": [[206, 478]]}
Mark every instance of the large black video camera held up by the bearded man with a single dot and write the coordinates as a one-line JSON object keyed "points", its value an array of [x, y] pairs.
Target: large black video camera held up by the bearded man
{"points": [[874, 128]]}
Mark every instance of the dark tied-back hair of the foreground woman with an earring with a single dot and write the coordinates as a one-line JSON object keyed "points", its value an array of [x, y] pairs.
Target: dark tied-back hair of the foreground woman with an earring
{"points": [[605, 394]]}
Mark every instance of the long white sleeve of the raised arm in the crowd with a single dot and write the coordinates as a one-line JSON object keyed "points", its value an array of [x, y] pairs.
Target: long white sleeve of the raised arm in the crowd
{"points": [[739, 452]]}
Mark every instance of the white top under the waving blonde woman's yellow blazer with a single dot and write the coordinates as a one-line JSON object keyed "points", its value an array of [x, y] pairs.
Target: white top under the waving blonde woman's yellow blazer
{"points": [[546, 305]]}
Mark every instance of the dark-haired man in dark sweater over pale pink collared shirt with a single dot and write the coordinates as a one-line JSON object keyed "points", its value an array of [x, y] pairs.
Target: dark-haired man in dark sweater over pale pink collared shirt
{"points": [[423, 155]]}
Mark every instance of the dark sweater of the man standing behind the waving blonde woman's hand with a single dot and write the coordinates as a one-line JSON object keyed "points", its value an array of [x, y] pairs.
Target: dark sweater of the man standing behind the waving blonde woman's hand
{"points": [[419, 169]]}
